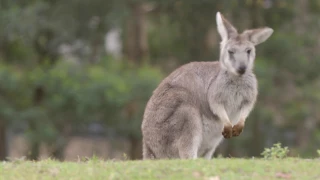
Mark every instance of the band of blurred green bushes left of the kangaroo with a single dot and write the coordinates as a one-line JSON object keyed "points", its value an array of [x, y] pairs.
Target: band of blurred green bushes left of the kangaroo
{"points": [[76, 95]]}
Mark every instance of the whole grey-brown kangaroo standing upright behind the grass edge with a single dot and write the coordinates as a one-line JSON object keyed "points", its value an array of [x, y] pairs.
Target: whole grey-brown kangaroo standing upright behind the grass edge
{"points": [[200, 103]]}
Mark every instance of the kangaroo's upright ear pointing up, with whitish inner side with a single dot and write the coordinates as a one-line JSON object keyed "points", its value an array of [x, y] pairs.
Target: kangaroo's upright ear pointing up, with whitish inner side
{"points": [[225, 28]]}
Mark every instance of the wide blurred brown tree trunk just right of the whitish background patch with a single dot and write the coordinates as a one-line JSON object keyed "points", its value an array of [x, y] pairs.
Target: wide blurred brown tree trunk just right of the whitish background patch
{"points": [[136, 34]]}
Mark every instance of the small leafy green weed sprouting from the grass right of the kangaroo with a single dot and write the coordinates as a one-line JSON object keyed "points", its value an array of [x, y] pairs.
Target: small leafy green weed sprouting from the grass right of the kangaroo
{"points": [[275, 152]]}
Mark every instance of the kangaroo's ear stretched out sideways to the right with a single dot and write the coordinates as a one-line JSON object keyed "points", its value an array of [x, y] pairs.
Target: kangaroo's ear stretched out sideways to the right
{"points": [[257, 36]]}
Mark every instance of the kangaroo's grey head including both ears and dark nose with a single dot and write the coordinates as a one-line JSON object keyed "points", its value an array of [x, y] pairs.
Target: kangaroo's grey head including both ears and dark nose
{"points": [[237, 51]]}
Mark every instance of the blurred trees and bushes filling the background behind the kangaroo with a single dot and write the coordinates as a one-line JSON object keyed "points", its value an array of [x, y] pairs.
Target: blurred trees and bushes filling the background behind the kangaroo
{"points": [[75, 71]]}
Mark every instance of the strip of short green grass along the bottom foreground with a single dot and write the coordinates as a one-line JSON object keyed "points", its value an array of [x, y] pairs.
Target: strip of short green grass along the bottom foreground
{"points": [[216, 169]]}
